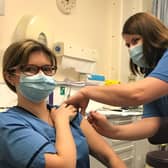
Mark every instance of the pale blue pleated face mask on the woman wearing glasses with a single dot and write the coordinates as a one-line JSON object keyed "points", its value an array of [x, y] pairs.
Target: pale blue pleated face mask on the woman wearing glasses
{"points": [[37, 87]]}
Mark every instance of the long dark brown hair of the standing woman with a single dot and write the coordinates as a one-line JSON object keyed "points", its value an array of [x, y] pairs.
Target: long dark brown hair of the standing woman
{"points": [[155, 38]]}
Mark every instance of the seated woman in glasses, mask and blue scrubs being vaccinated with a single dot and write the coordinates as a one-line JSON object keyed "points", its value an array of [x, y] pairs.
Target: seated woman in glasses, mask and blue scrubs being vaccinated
{"points": [[36, 135]]}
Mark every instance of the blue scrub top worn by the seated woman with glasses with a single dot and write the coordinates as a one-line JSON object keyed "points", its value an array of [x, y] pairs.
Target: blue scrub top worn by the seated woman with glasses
{"points": [[24, 139]]}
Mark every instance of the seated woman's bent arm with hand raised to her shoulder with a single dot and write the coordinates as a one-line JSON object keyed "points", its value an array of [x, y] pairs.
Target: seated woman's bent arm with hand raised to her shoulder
{"points": [[64, 143]]}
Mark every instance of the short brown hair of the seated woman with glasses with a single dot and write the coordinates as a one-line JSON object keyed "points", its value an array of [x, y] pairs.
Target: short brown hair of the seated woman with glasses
{"points": [[18, 53]]}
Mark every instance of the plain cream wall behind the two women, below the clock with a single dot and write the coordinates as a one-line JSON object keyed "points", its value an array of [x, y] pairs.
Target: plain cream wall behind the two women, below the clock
{"points": [[94, 24]]}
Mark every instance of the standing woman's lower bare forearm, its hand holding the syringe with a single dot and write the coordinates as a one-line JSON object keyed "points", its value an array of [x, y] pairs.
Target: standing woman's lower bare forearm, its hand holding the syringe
{"points": [[140, 129]]}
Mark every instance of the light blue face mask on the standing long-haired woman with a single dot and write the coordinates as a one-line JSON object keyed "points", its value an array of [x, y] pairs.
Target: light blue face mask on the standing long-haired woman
{"points": [[136, 55]]}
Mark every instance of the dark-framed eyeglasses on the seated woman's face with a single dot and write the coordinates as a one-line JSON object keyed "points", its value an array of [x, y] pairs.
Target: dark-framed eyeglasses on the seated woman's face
{"points": [[30, 69]]}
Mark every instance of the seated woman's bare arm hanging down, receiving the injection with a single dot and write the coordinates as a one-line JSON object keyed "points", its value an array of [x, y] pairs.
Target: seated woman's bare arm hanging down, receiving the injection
{"points": [[99, 148]]}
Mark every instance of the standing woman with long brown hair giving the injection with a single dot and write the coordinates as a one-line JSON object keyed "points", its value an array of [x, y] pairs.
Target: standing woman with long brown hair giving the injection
{"points": [[147, 41]]}
